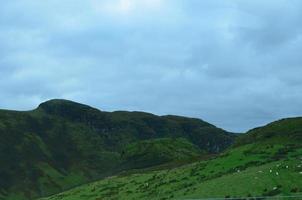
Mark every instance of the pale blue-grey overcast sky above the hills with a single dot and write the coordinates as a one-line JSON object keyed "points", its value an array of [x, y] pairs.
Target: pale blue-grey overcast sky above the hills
{"points": [[236, 64]]}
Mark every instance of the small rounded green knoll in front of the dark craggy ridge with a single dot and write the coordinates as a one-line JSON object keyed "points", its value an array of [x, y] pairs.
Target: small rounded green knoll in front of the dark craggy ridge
{"points": [[148, 153]]}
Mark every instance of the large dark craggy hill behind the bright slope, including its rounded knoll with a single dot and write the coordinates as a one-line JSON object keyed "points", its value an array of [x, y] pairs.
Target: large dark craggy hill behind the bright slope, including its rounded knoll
{"points": [[62, 144]]}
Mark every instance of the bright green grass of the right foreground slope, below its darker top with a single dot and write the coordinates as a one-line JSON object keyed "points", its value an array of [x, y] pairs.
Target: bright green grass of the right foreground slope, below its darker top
{"points": [[229, 175]]}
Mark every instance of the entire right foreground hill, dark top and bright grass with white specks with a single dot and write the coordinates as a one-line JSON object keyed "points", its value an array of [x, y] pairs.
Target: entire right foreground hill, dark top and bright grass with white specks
{"points": [[266, 161]]}
